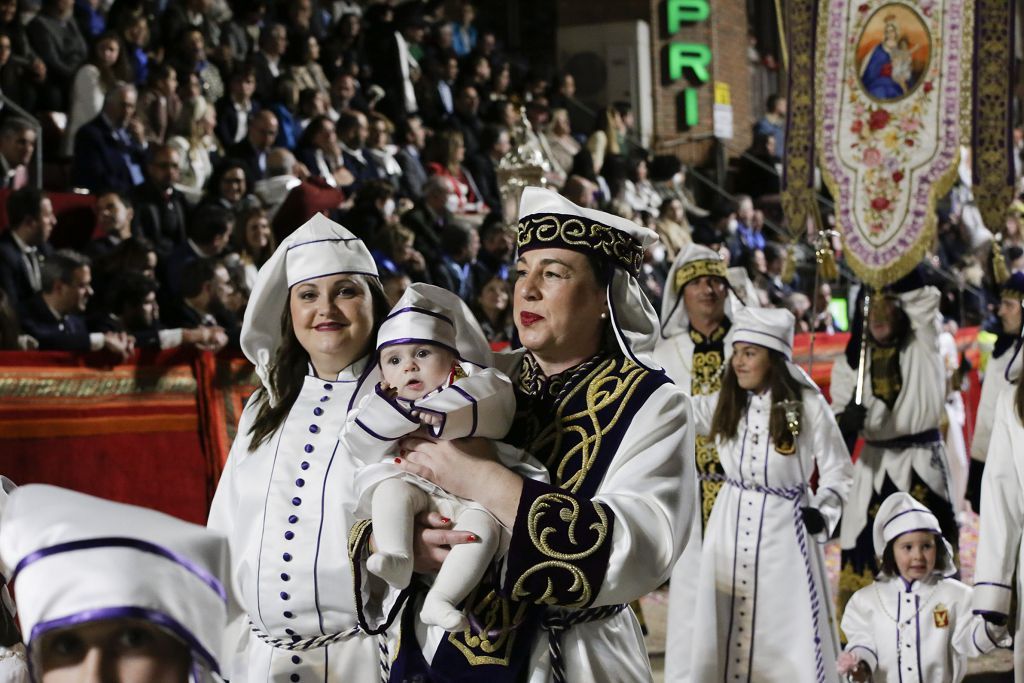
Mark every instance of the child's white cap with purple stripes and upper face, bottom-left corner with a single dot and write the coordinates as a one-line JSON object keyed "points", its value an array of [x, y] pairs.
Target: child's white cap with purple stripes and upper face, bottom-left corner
{"points": [[113, 592]]}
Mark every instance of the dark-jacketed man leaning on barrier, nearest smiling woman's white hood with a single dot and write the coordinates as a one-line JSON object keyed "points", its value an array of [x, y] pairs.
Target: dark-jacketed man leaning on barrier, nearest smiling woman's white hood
{"points": [[206, 285]]}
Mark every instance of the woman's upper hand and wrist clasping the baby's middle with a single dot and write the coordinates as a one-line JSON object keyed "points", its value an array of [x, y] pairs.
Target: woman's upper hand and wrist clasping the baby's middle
{"points": [[464, 467]]}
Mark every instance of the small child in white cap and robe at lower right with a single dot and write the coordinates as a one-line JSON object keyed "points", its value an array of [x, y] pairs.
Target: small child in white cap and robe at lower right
{"points": [[914, 623]]}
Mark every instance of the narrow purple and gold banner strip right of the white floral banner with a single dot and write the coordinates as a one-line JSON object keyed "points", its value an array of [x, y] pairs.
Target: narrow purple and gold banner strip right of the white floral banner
{"points": [[992, 143]]}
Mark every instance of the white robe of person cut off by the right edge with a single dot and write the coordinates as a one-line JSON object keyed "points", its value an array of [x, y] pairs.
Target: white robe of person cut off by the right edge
{"points": [[1001, 537]]}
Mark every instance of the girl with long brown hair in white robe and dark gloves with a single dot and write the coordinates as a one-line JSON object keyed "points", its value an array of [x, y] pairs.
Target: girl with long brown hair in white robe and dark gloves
{"points": [[763, 610]]}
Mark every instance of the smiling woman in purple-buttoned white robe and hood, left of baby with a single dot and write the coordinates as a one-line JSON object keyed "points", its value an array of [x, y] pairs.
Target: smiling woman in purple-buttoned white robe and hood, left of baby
{"points": [[282, 499]]}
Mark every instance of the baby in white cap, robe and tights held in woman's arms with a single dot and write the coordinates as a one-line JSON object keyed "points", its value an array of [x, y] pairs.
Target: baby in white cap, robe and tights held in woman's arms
{"points": [[433, 362]]}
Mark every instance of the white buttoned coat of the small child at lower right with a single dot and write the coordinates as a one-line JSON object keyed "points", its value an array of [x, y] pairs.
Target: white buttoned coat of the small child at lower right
{"points": [[936, 633]]}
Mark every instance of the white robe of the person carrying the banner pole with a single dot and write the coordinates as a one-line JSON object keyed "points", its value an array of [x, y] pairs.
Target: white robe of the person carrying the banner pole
{"points": [[920, 407]]}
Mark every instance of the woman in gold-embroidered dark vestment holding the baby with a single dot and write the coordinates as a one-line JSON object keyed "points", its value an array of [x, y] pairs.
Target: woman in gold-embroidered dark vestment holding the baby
{"points": [[616, 438]]}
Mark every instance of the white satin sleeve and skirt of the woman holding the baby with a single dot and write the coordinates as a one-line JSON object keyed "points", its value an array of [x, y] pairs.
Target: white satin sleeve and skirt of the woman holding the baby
{"points": [[652, 490]]}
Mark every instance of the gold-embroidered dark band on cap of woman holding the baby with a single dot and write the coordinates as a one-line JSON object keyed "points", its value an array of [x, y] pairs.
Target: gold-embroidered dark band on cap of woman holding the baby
{"points": [[544, 231]]}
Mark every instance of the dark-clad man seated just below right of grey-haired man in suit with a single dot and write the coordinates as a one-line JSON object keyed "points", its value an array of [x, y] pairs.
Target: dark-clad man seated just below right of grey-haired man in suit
{"points": [[160, 208]]}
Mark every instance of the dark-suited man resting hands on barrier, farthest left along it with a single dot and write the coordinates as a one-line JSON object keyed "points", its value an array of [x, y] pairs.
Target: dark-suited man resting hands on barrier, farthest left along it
{"points": [[55, 316]]}
